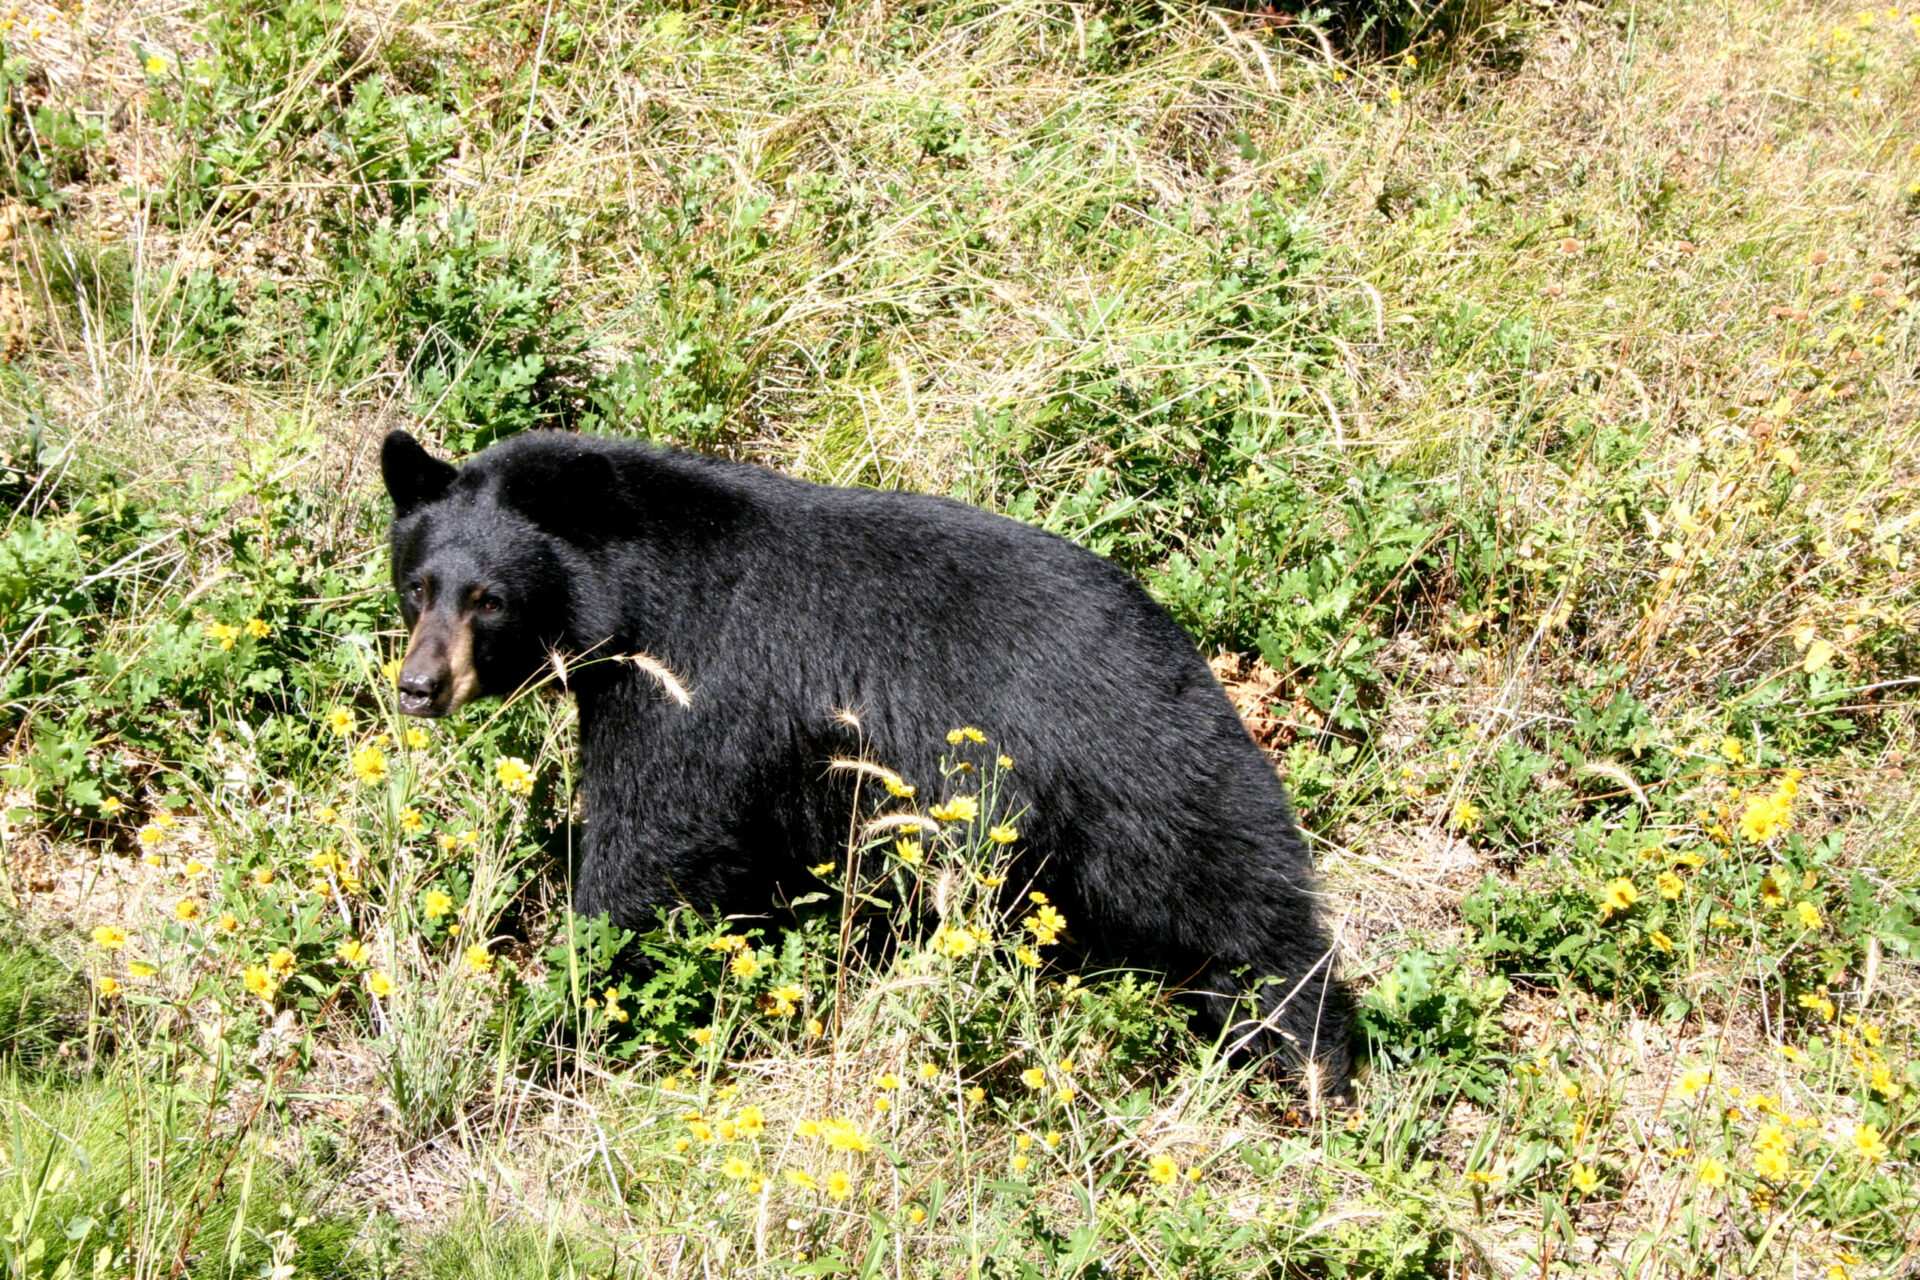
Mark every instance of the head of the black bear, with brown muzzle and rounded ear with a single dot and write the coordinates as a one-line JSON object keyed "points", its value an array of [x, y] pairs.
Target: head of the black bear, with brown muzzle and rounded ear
{"points": [[483, 586]]}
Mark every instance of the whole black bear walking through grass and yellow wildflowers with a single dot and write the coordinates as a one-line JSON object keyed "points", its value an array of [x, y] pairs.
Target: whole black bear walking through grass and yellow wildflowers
{"points": [[1153, 820]]}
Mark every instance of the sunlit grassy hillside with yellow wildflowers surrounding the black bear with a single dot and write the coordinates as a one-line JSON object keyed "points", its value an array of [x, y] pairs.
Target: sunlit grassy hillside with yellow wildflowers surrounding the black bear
{"points": [[1522, 402]]}
